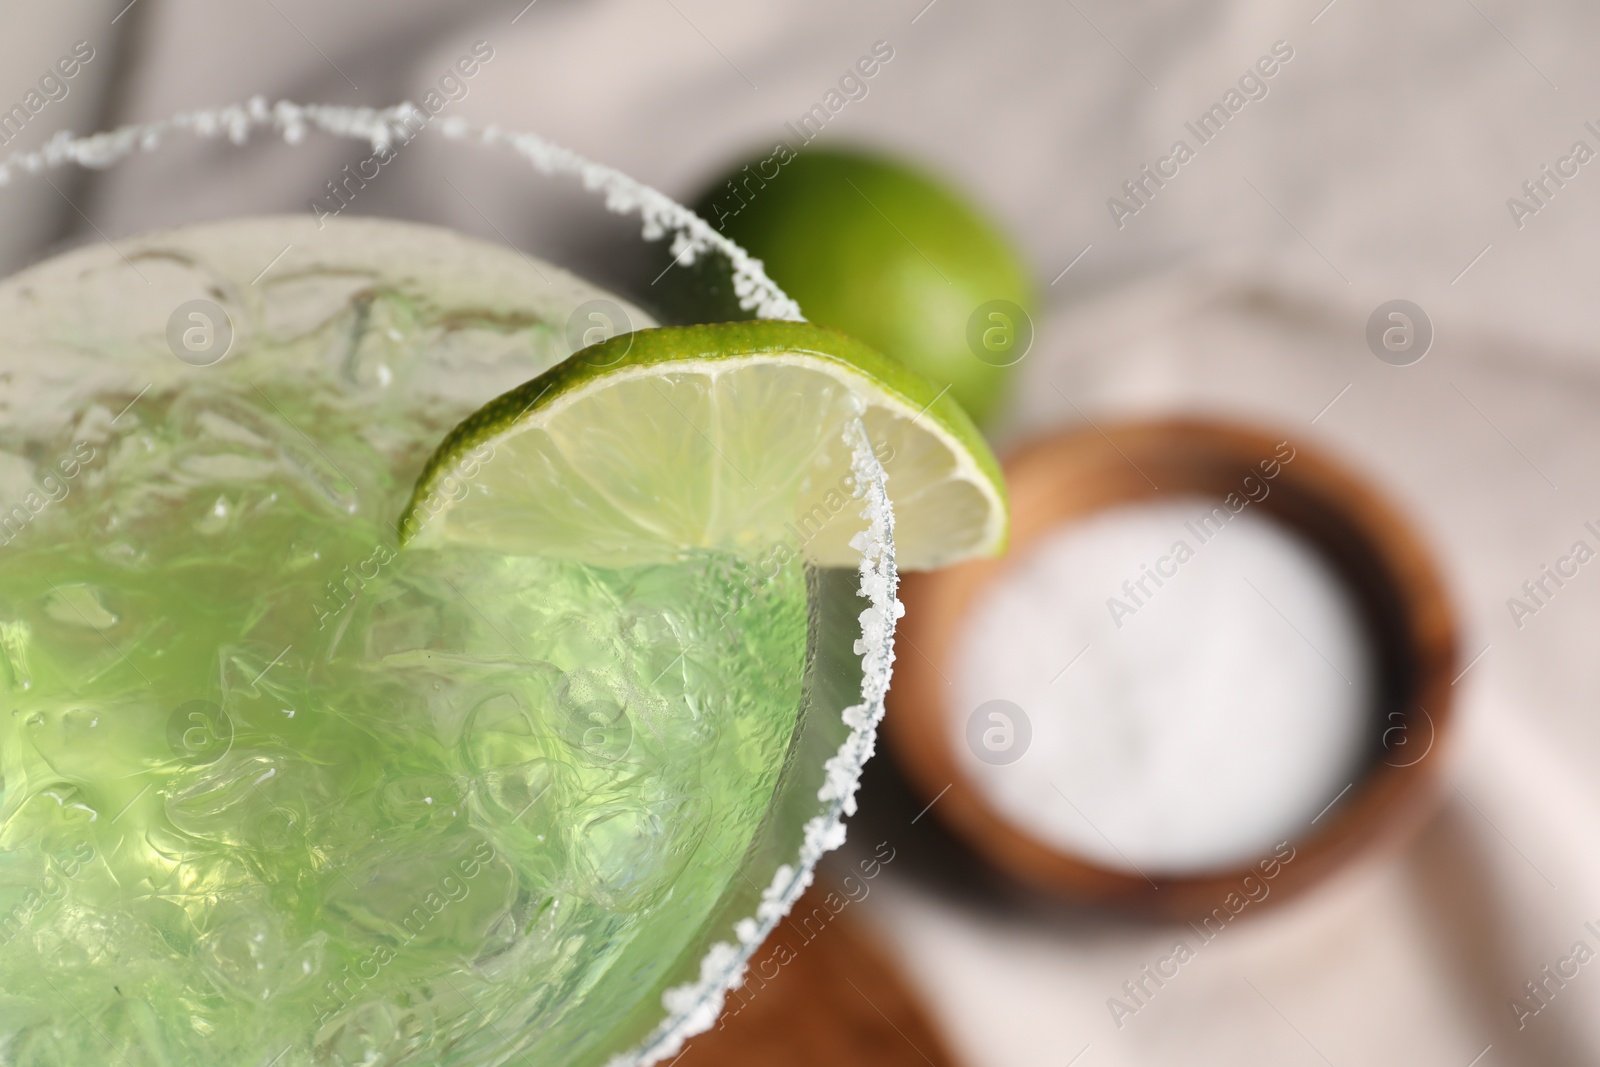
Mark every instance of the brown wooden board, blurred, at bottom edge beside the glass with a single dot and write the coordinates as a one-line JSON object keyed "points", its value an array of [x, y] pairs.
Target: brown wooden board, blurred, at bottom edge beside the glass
{"points": [[820, 994]]}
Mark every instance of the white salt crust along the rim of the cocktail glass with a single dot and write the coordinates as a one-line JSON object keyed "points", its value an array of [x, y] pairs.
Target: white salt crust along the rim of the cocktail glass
{"points": [[694, 1007]]}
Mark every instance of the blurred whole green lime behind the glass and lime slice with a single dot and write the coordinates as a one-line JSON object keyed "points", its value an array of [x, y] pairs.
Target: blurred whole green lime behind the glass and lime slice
{"points": [[889, 255]]}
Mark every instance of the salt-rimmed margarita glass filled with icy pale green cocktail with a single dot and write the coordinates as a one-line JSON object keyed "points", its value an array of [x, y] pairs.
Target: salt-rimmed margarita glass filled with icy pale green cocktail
{"points": [[282, 791]]}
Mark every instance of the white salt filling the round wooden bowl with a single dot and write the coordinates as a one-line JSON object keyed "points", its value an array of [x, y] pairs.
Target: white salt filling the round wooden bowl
{"points": [[1222, 700]]}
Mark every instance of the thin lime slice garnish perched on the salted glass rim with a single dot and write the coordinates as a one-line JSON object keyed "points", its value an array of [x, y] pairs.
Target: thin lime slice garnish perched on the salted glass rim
{"points": [[729, 438]]}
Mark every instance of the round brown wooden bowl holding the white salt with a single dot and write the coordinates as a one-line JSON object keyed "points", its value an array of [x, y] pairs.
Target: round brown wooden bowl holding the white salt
{"points": [[1394, 583]]}
